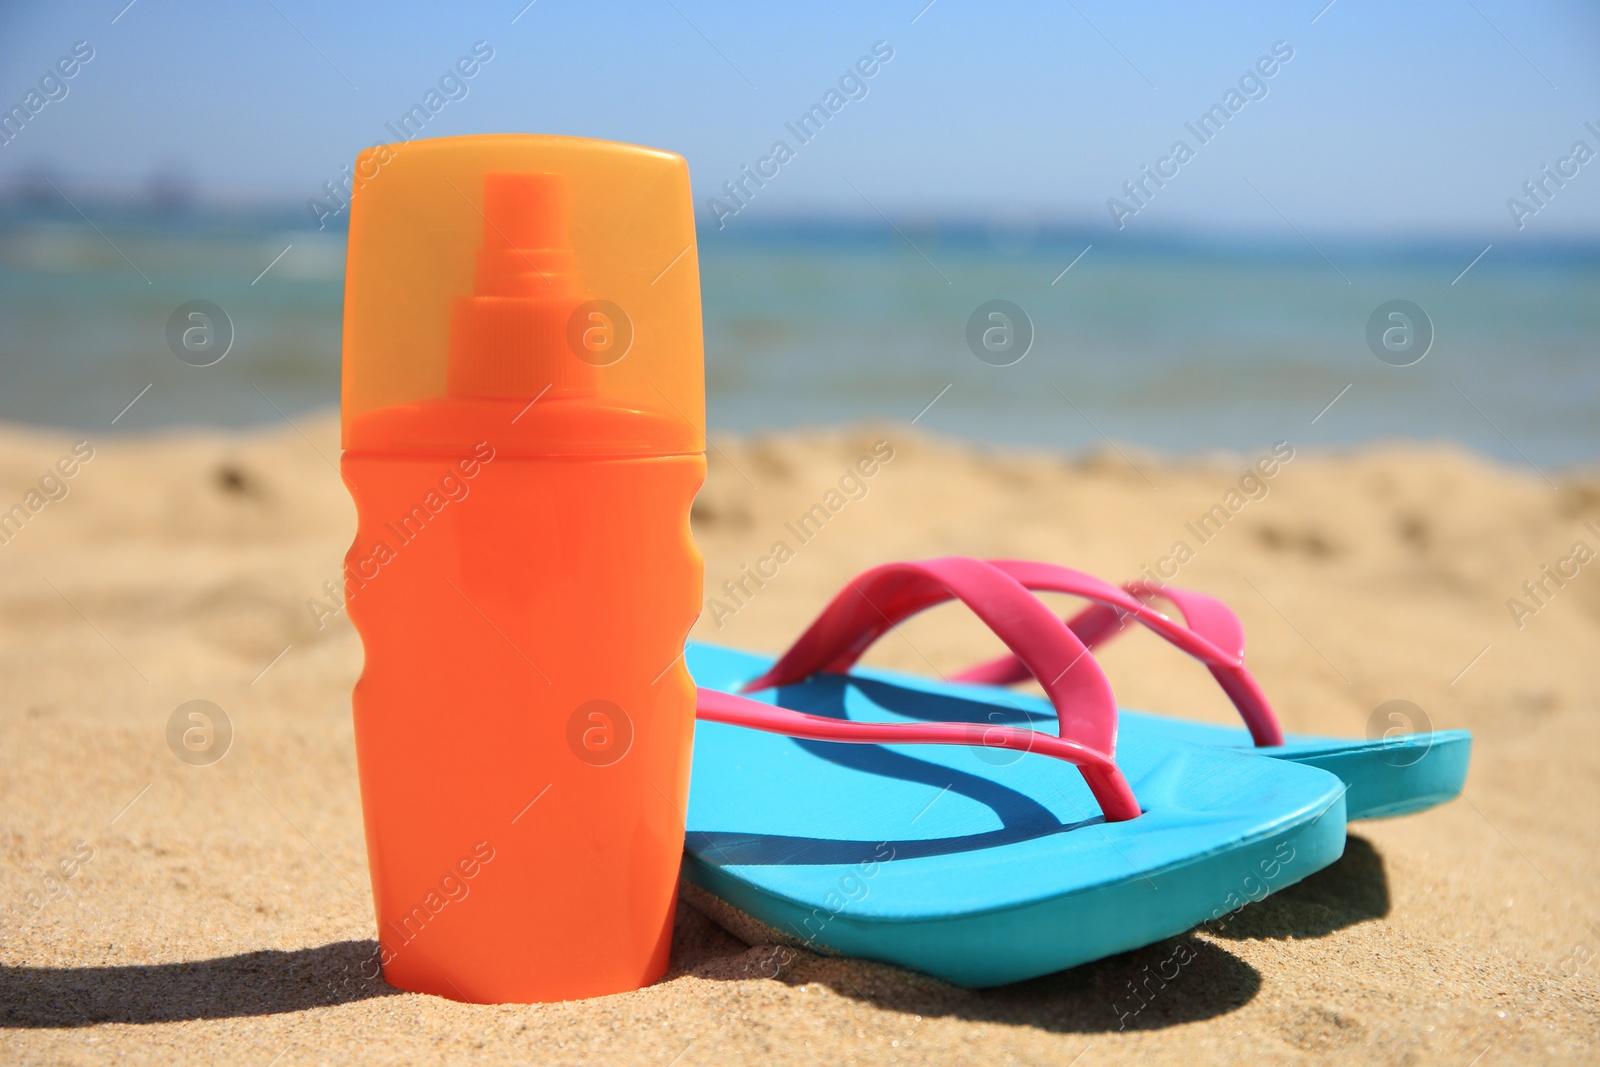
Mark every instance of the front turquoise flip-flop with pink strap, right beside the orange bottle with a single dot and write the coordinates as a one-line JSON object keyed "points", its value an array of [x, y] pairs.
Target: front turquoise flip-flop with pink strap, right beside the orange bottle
{"points": [[895, 818]]}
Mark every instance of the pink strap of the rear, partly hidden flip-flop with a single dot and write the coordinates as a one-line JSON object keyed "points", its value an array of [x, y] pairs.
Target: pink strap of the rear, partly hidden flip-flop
{"points": [[1214, 634]]}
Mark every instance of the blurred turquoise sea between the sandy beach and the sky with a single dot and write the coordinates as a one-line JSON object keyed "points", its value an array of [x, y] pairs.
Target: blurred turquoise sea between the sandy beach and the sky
{"points": [[1180, 345]]}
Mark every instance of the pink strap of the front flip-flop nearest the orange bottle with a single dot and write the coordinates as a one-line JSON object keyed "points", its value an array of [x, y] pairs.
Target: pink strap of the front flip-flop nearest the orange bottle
{"points": [[878, 599]]}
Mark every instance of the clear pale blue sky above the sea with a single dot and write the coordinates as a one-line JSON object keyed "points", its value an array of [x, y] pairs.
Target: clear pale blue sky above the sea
{"points": [[1386, 122]]}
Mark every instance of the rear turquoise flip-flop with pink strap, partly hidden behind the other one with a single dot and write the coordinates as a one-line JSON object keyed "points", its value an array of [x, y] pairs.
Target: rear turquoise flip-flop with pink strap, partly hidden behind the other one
{"points": [[1394, 775]]}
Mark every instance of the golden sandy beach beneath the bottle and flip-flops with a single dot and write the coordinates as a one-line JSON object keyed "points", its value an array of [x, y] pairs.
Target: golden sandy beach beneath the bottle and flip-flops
{"points": [[159, 911]]}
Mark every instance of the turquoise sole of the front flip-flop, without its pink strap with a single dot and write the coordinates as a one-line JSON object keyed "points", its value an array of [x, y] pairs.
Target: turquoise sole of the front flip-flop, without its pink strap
{"points": [[983, 866]]}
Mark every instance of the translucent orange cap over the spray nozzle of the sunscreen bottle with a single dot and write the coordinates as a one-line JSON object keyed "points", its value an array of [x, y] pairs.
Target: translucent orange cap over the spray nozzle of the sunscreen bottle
{"points": [[532, 290]]}
